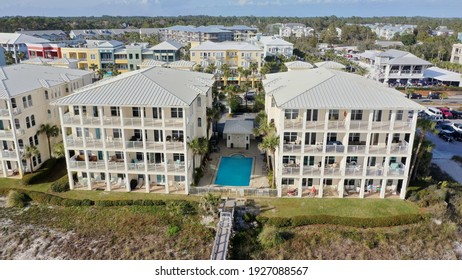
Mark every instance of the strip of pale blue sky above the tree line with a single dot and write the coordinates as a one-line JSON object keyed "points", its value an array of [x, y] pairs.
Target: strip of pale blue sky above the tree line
{"points": [[299, 8]]}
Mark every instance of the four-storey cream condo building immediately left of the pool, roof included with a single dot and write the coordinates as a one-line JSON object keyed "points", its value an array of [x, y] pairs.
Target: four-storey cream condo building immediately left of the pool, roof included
{"points": [[131, 132]]}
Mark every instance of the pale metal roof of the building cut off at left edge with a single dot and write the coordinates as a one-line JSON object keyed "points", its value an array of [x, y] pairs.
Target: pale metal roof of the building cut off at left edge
{"points": [[21, 78]]}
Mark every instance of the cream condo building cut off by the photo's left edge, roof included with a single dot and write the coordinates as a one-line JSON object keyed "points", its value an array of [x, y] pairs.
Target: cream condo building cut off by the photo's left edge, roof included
{"points": [[27, 91]]}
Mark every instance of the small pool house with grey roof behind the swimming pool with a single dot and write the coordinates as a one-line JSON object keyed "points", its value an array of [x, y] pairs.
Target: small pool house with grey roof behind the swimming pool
{"points": [[238, 133]]}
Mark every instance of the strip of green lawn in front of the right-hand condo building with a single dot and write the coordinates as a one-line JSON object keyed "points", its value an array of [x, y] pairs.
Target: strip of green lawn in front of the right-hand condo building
{"points": [[361, 208]]}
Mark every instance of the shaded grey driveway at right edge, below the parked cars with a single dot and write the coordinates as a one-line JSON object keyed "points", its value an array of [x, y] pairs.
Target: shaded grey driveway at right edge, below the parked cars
{"points": [[442, 154]]}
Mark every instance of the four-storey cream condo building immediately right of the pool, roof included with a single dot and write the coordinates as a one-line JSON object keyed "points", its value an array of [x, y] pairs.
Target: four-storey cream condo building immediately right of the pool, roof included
{"points": [[340, 134]]}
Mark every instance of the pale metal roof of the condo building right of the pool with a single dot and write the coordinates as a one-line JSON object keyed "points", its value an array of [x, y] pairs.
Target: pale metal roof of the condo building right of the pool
{"points": [[331, 89]]}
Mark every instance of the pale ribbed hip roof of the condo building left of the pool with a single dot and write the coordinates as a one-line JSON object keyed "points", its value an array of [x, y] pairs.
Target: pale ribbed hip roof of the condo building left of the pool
{"points": [[154, 86]]}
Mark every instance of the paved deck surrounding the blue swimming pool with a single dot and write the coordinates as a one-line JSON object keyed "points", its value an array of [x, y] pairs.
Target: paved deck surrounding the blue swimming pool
{"points": [[258, 177]]}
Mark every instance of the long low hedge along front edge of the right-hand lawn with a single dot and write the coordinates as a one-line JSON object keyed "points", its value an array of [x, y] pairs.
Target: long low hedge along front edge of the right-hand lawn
{"points": [[346, 221]]}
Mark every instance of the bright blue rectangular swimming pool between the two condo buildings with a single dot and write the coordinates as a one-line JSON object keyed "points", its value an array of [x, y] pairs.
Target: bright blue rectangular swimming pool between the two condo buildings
{"points": [[234, 171]]}
